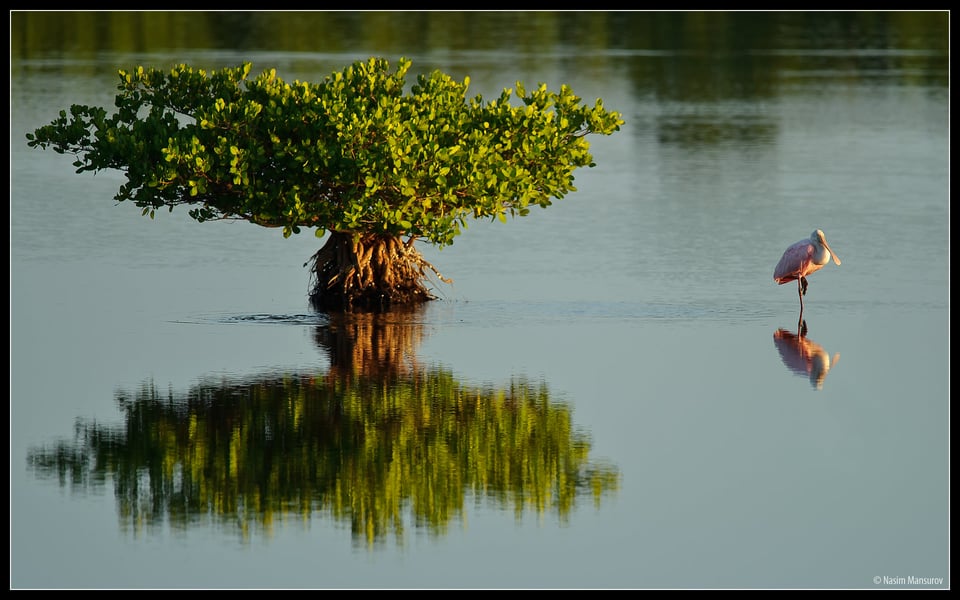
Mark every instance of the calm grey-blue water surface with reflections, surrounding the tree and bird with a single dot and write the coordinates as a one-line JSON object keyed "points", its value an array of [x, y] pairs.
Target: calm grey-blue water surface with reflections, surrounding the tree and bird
{"points": [[611, 394]]}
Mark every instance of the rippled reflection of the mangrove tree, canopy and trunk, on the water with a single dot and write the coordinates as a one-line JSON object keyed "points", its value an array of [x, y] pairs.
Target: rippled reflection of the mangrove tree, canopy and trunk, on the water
{"points": [[376, 441]]}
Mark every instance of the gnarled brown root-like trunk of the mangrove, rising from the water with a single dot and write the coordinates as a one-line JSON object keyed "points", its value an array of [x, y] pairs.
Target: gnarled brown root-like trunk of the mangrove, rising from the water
{"points": [[368, 271]]}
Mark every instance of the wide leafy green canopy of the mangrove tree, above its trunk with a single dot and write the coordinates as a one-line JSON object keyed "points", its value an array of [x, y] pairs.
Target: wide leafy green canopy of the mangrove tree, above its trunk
{"points": [[357, 153]]}
